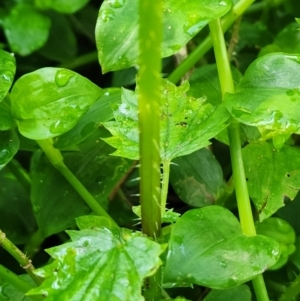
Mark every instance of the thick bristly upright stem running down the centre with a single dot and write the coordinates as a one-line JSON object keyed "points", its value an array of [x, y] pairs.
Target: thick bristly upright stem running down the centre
{"points": [[149, 99]]}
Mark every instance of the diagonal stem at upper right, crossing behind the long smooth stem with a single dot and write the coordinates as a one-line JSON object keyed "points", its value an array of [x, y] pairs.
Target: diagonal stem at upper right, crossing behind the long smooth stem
{"points": [[194, 56]]}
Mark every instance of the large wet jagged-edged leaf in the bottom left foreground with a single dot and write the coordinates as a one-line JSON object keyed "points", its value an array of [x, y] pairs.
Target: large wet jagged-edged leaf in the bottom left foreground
{"points": [[112, 264]]}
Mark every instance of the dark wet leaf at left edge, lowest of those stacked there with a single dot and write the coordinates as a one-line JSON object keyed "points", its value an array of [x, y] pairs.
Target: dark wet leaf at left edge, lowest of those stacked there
{"points": [[9, 145]]}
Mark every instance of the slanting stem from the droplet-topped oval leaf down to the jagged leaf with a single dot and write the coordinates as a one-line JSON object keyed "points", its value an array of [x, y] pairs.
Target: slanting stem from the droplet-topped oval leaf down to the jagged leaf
{"points": [[56, 159]]}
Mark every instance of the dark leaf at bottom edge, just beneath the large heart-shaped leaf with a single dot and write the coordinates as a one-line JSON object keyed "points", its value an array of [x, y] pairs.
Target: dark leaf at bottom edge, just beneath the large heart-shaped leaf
{"points": [[238, 293]]}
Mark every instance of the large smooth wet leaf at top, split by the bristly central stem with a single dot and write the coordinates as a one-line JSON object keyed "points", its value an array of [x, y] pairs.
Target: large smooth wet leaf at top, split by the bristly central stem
{"points": [[117, 28]]}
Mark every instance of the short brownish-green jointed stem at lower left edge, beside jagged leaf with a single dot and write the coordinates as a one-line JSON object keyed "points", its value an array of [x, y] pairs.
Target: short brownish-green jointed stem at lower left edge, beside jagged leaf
{"points": [[24, 261]]}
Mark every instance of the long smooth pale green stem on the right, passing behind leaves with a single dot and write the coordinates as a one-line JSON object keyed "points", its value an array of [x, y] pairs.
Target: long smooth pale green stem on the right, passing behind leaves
{"points": [[241, 189]]}
